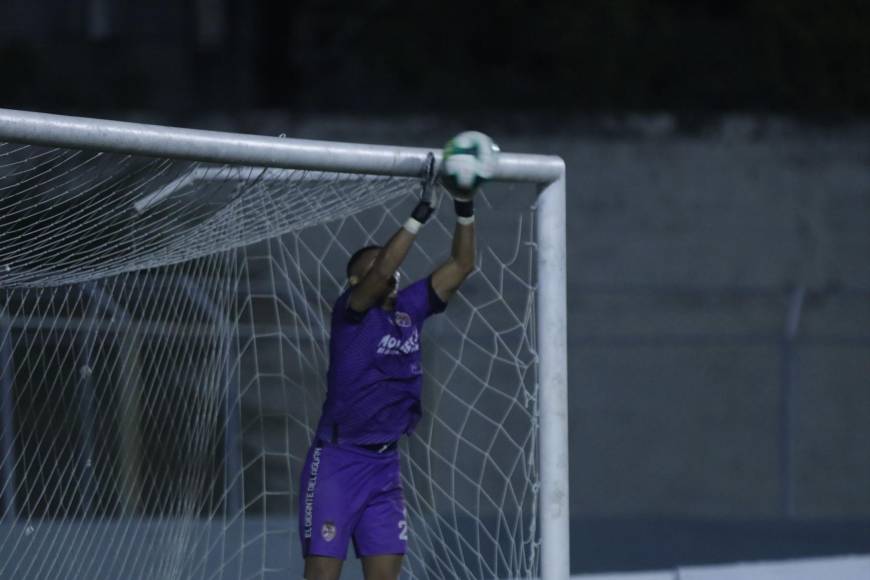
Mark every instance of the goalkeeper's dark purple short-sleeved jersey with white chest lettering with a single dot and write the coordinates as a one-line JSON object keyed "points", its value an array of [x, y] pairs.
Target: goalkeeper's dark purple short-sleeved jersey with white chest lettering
{"points": [[375, 375]]}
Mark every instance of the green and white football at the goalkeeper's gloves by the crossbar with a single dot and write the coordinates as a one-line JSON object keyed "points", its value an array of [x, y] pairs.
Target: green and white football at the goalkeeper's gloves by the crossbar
{"points": [[470, 159]]}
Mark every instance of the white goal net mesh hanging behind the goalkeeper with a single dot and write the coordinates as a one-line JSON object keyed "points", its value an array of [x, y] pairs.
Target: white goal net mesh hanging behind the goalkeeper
{"points": [[163, 353]]}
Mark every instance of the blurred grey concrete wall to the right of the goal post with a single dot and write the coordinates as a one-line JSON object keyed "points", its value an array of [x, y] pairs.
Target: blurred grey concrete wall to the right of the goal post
{"points": [[683, 254]]}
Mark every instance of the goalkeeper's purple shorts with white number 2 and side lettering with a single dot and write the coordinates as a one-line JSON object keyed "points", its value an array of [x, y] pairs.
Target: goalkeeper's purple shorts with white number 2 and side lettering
{"points": [[349, 493]]}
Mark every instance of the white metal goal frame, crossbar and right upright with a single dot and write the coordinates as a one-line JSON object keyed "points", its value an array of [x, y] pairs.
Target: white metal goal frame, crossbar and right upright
{"points": [[547, 172]]}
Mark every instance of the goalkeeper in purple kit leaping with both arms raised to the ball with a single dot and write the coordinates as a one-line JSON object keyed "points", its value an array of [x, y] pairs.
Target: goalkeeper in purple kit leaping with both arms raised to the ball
{"points": [[350, 483]]}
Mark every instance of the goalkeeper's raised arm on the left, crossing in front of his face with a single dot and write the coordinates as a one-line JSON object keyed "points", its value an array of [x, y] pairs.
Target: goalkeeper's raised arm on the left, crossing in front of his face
{"points": [[377, 282]]}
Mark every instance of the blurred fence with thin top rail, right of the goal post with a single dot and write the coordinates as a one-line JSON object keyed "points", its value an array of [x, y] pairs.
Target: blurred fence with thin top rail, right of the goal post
{"points": [[740, 402]]}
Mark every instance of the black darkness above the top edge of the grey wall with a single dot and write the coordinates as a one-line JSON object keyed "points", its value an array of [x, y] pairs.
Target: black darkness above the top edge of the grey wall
{"points": [[801, 56]]}
